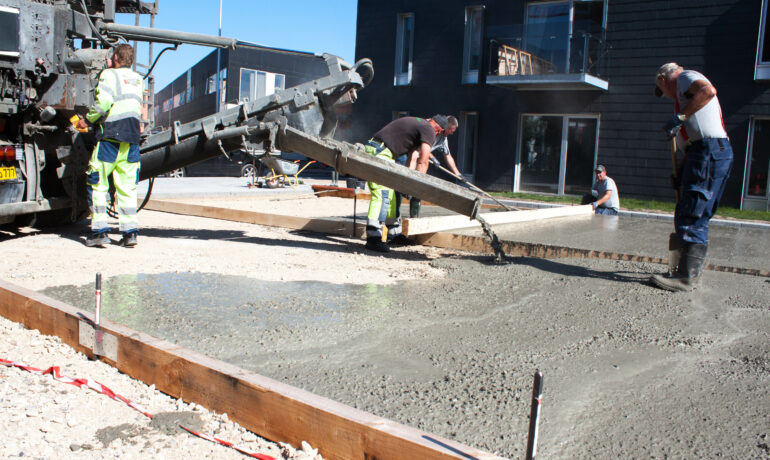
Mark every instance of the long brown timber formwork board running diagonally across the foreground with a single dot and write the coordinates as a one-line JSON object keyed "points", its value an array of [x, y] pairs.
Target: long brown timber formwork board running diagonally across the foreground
{"points": [[269, 408]]}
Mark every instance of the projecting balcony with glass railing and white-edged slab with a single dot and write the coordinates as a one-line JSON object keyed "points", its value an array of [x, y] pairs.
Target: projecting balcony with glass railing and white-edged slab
{"points": [[553, 62]]}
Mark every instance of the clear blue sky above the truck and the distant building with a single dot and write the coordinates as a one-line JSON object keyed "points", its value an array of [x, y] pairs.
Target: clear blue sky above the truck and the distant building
{"points": [[315, 26]]}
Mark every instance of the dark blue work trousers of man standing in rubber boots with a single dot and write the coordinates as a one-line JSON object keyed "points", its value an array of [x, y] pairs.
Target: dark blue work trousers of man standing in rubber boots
{"points": [[704, 175]]}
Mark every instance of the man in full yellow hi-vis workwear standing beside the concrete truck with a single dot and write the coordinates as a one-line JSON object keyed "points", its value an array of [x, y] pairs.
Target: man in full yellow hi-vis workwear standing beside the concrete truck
{"points": [[116, 116]]}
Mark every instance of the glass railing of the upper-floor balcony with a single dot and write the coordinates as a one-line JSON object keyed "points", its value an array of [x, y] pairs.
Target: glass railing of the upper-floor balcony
{"points": [[577, 54]]}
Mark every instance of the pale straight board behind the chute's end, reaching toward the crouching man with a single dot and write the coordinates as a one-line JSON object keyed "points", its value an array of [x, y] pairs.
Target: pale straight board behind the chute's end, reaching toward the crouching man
{"points": [[455, 222]]}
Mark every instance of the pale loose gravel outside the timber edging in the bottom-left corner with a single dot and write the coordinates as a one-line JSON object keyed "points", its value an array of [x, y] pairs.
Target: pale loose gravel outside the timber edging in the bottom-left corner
{"points": [[44, 418]]}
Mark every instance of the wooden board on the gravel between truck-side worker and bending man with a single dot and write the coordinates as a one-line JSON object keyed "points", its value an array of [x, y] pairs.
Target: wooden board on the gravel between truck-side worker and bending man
{"points": [[323, 225]]}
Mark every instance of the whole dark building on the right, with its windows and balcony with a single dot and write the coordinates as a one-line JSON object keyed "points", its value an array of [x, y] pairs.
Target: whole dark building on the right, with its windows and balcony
{"points": [[546, 90]]}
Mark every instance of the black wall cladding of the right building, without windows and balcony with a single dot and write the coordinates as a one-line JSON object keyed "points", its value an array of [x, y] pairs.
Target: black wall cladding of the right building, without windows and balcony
{"points": [[715, 37]]}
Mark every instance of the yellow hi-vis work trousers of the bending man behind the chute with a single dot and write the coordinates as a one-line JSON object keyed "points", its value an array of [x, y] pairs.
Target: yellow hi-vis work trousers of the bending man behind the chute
{"points": [[383, 207]]}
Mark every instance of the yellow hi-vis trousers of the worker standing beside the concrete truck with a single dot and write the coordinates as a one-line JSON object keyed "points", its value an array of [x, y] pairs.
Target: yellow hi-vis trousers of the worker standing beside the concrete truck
{"points": [[121, 161]]}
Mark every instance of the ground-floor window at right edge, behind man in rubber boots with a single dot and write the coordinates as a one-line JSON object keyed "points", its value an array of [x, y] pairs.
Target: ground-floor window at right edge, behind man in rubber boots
{"points": [[756, 195]]}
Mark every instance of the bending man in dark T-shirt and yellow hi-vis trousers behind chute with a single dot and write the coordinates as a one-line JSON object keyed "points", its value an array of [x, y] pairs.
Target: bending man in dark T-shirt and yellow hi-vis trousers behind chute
{"points": [[399, 137]]}
